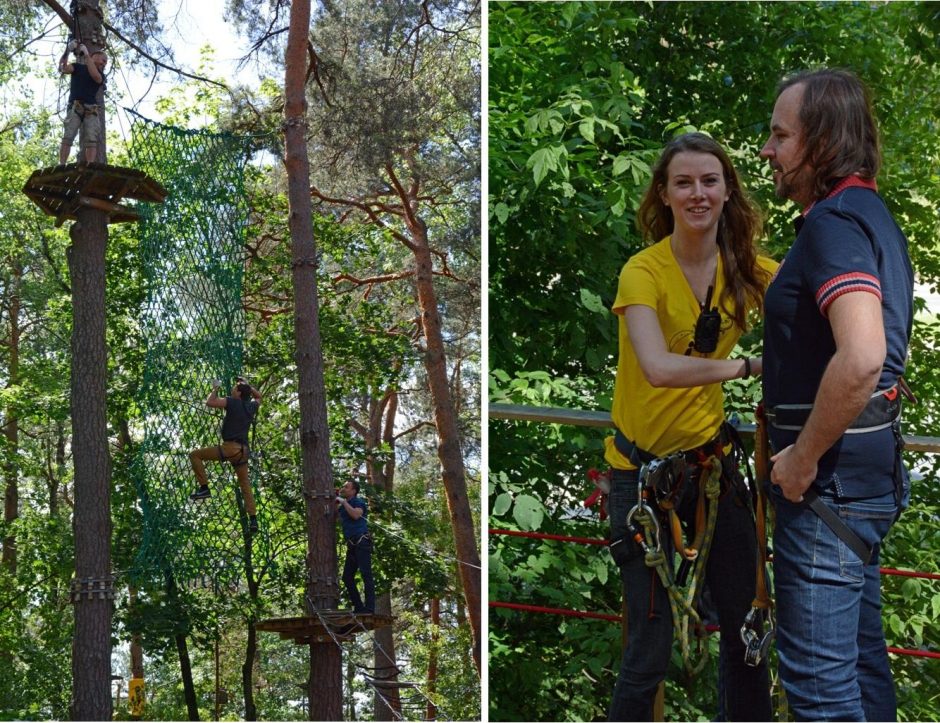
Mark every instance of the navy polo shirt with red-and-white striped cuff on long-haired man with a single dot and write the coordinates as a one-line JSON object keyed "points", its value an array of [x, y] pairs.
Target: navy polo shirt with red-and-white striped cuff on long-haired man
{"points": [[847, 242]]}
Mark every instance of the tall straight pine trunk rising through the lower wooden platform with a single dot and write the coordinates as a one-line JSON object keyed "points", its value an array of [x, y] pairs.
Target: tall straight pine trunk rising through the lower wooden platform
{"points": [[325, 685]]}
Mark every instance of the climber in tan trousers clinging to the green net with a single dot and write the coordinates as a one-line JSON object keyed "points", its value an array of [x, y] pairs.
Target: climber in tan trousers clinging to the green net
{"points": [[240, 410]]}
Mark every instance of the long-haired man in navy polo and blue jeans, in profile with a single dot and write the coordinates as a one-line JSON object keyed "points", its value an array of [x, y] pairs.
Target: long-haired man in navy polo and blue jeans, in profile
{"points": [[838, 318]]}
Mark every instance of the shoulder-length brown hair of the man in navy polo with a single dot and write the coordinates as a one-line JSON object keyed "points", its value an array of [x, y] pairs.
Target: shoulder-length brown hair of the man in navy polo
{"points": [[838, 127]]}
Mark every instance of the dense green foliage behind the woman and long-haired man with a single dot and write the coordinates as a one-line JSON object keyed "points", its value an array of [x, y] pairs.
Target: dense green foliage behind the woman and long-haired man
{"points": [[582, 97]]}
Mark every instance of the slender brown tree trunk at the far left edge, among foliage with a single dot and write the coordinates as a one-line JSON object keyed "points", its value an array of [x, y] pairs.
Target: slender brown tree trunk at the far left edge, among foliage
{"points": [[11, 428]]}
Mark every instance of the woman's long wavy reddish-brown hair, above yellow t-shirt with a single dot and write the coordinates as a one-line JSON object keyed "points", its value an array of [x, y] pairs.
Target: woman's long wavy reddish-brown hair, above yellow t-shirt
{"points": [[739, 226]]}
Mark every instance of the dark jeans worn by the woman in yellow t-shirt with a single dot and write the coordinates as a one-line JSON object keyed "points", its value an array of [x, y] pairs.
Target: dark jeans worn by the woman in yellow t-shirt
{"points": [[730, 578]]}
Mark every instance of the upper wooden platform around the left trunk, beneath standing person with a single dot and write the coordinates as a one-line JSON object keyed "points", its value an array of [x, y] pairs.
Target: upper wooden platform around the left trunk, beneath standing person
{"points": [[63, 190]]}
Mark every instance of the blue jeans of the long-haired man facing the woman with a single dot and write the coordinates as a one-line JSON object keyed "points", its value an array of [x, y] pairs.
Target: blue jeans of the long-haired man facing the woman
{"points": [[830, 641]]}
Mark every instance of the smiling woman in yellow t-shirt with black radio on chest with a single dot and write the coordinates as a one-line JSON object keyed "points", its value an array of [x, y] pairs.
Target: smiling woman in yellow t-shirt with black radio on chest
{"points": [[682, 304]]}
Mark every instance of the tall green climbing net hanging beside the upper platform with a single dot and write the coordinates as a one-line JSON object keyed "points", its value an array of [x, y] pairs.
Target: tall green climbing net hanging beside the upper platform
{"points": [[192, 249]]}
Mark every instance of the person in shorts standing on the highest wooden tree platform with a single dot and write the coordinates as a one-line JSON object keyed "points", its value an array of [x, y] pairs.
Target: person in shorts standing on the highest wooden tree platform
{"points": [[87, 78]]}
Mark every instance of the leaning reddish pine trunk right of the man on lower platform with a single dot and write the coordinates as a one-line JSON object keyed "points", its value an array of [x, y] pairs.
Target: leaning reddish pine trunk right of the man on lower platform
{"points": [[448, 450]]}
